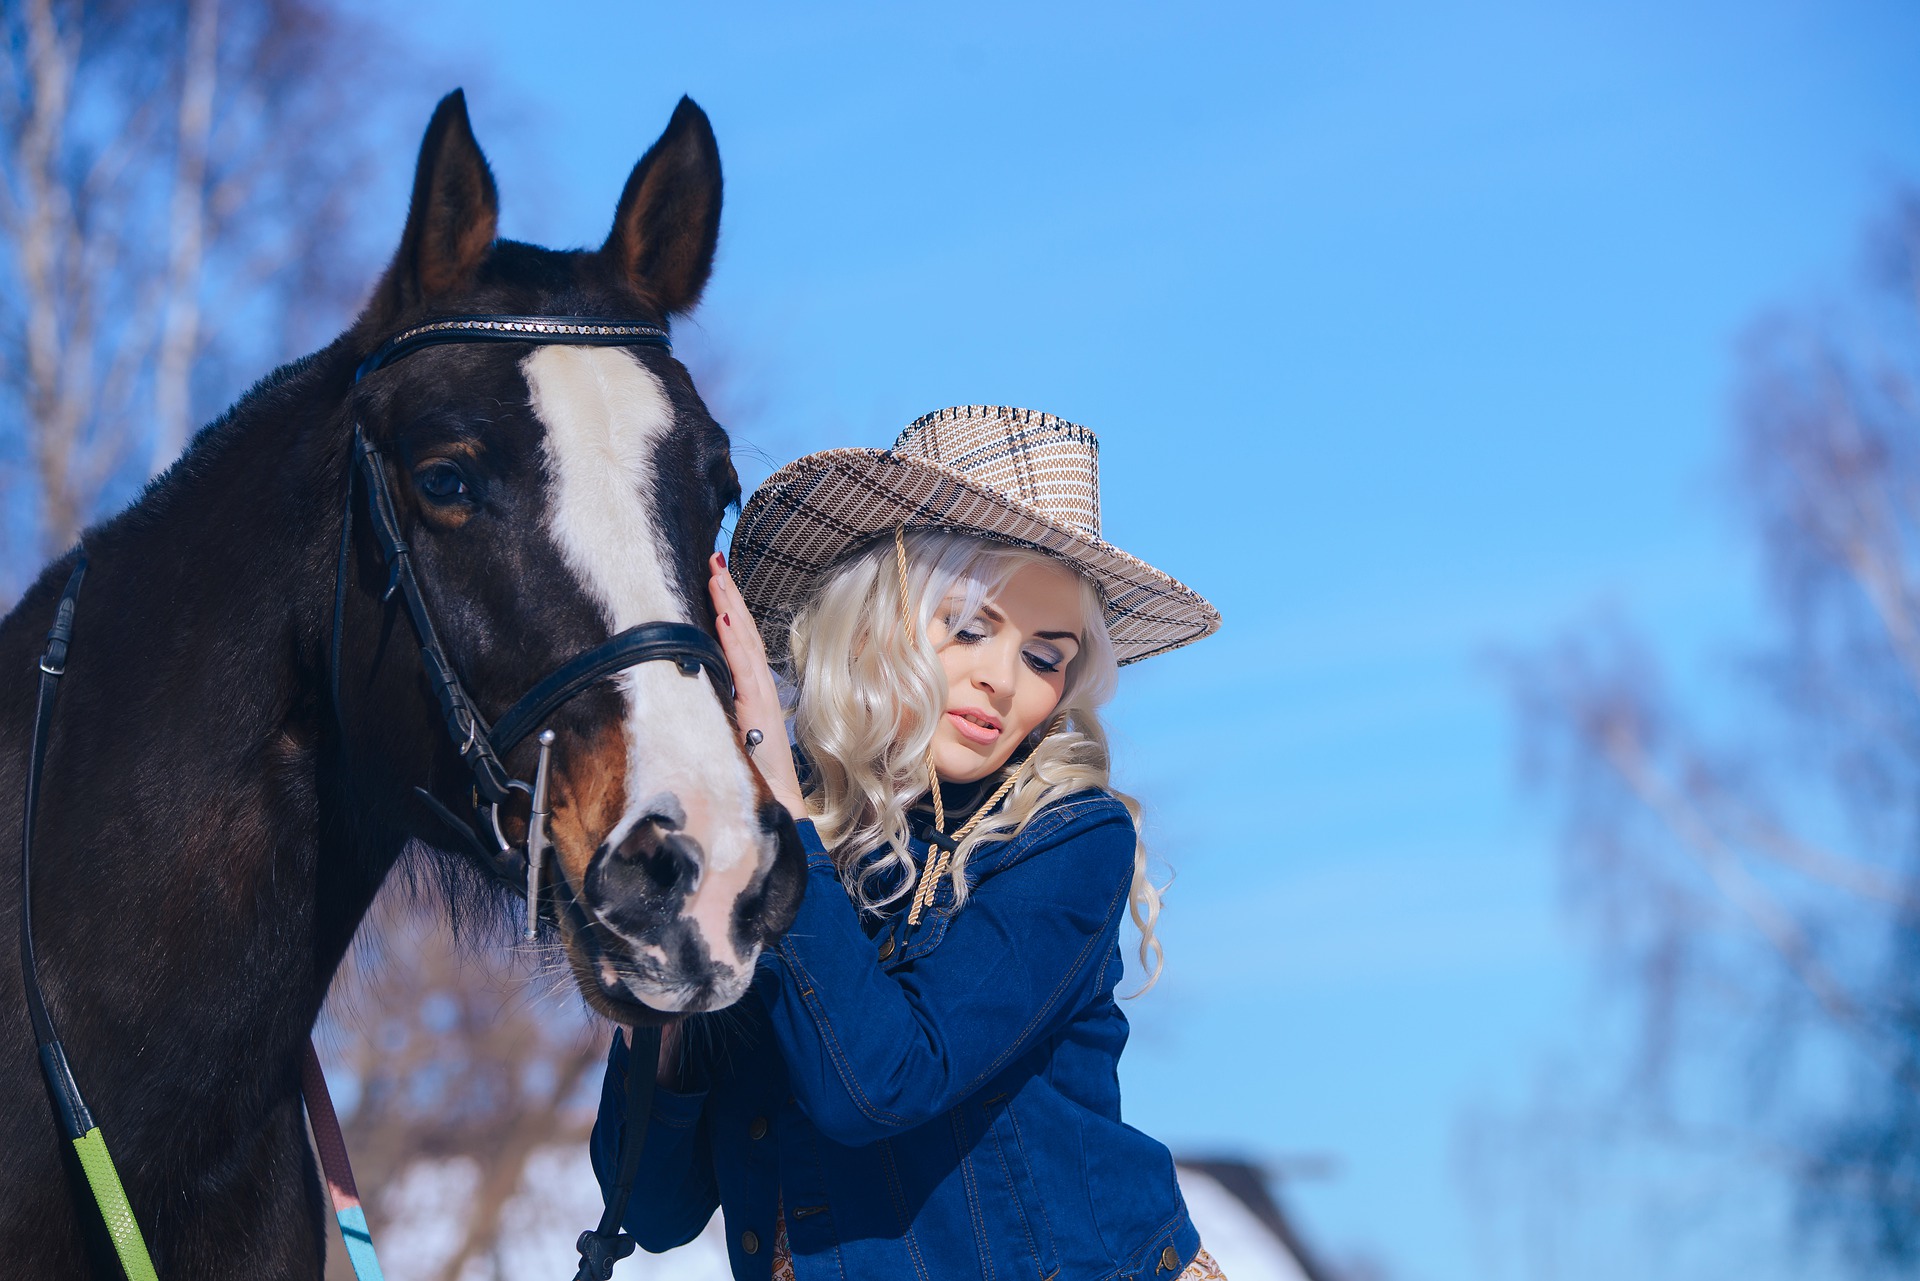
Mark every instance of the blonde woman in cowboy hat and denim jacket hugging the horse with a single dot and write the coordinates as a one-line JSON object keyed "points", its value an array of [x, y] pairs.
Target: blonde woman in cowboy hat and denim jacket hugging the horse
{"points": [[923, 1080]]}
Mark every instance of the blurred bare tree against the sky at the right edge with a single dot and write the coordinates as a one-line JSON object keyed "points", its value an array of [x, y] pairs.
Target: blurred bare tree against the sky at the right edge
{"points": [[1758, 890]]}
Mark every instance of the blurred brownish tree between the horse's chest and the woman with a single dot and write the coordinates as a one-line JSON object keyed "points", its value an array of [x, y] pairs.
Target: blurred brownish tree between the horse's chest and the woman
{"points": [[458, 1059]]}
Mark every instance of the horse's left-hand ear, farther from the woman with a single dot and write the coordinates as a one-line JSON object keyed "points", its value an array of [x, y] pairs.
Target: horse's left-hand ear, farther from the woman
{"points": [[452, 220]]}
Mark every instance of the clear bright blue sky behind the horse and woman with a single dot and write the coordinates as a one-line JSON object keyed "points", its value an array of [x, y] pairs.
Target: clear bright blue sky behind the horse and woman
{"points": [[1408, 333]]}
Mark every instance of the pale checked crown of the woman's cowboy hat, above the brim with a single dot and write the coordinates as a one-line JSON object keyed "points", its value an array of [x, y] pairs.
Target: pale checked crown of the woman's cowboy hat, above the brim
{"points": [[1044, 462]]}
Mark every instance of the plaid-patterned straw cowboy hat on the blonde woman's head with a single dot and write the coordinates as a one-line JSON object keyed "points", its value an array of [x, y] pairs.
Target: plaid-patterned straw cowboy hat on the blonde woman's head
{"points": [[1013, 475]]}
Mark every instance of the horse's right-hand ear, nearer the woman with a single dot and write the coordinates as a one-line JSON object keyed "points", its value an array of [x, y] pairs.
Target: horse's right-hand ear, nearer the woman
{"points": [[669, 220]]}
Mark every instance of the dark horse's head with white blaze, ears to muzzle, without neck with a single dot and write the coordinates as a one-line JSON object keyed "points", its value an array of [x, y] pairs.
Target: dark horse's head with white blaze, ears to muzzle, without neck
{"points": [[550, 498]]}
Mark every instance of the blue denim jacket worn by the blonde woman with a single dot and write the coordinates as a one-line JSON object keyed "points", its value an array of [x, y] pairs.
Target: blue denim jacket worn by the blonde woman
{"points": [[924, 1103]]}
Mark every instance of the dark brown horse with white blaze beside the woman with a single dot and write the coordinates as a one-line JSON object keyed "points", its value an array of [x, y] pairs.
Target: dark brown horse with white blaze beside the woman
{"points": [[251, 731]]}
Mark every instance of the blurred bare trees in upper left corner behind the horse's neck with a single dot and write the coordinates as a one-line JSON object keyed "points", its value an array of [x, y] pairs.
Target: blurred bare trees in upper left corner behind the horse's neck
{"points": [[178, 191]]}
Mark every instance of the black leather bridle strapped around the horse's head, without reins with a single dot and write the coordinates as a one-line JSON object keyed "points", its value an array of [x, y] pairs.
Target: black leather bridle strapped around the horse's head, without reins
{"points": [[485, 746]]}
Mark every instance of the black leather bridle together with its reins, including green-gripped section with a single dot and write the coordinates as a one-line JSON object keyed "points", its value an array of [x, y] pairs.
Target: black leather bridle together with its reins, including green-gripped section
{"points": [[483, 750]]}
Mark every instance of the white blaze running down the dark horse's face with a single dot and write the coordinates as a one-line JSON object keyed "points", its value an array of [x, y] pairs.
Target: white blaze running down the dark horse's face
{"points": [[606, 416]]}
